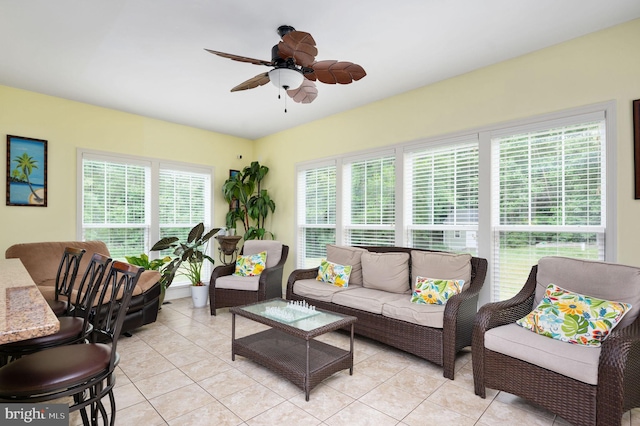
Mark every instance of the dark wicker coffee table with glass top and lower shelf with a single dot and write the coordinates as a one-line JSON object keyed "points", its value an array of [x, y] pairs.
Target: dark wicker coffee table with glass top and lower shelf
{"points": [[288, 347]]}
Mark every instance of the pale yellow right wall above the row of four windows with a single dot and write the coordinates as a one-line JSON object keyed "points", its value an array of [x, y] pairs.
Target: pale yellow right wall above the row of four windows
{"points": [[595, 68]]}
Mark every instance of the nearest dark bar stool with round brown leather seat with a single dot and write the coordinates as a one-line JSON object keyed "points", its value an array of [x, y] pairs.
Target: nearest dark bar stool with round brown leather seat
{"points": [[85, 371]]}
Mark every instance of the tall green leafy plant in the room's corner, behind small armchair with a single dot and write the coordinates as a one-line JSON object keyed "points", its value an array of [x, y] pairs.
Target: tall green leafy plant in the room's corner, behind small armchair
{"points": [[253, 202]]}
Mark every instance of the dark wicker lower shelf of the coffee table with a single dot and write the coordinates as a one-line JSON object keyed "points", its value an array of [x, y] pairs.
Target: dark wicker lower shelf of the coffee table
{"points": [[305, 363]]}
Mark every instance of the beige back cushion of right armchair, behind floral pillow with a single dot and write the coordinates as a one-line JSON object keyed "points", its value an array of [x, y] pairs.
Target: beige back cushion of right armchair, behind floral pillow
{"points": [[608, 281]]}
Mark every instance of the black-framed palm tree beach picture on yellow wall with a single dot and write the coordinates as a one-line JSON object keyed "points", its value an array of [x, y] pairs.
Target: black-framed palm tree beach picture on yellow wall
{"points": [[26, 171]]}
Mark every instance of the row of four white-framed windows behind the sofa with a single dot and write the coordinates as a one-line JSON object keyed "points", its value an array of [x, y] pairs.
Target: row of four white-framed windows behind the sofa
{"points": [[508, 193]]}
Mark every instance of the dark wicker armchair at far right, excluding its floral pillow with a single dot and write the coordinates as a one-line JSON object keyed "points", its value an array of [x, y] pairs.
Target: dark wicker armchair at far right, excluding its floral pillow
{"points": [[583, 385]]}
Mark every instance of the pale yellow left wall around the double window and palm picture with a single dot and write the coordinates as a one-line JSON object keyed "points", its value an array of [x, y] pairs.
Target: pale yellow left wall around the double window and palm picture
{"points": [[68, 125]]}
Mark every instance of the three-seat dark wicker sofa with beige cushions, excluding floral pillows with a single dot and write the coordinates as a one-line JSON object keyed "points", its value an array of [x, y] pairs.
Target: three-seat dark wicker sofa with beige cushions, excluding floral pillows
{"points": [[386, 314]]}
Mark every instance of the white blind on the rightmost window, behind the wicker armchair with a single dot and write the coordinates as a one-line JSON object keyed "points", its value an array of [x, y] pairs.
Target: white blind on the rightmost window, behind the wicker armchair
{"points": [[549, 199]]}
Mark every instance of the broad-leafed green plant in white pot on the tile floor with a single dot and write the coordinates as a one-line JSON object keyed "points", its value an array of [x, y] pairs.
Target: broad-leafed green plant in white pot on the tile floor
{"points": [[189, 258]]}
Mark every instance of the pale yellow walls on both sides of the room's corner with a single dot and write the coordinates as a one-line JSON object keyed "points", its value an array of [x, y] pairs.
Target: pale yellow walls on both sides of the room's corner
{"points": [[598, 67]]}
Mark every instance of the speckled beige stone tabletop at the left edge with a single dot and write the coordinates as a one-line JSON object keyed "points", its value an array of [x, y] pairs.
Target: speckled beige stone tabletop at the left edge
{"points": [[24, 312]]}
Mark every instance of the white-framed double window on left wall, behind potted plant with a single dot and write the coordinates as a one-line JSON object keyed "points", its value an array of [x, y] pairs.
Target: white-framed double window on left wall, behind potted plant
{"points": [[130, 203]]}
